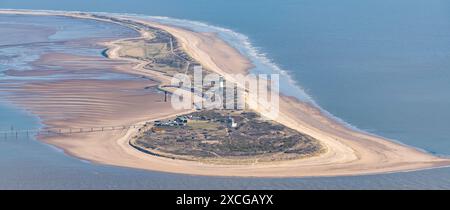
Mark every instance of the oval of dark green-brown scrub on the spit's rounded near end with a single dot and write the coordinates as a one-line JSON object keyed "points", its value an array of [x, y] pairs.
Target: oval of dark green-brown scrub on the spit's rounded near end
{"points": [[226, 134]]}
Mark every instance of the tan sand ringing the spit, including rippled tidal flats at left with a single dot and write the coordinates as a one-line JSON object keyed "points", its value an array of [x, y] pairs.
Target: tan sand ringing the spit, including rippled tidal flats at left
{"points": [[349, 152]]}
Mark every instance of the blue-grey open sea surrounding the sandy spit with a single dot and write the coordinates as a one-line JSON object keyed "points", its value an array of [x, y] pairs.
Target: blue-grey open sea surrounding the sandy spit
{"points": [[382, 66]]}
